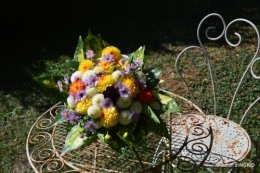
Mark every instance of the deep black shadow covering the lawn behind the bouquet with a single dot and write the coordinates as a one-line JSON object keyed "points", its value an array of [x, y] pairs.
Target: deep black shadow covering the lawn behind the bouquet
{"points": [[37, 31]]}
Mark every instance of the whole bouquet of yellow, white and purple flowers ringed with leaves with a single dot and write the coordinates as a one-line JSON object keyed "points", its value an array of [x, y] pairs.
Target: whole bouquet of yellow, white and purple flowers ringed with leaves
{"points": [[111, 97]]}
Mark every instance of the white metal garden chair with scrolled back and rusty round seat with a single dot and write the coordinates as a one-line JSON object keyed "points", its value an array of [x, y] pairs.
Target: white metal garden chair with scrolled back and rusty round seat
{"points": [[226, 133]]}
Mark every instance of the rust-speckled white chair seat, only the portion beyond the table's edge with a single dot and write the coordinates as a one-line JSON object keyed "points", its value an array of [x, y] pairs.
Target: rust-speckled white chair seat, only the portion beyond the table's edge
{"points": [[231, 143]]}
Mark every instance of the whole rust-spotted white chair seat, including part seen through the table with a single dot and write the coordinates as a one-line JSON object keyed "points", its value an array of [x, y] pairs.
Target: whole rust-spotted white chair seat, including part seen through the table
{"points": [[231, 143]]}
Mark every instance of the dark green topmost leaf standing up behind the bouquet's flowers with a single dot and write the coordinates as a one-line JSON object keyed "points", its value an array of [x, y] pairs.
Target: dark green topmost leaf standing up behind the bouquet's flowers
{"points": [[95, 43]]}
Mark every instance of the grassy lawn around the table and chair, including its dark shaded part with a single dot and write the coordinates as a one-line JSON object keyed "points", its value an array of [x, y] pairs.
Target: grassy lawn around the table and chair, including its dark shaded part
{"points": [[37, 36]]}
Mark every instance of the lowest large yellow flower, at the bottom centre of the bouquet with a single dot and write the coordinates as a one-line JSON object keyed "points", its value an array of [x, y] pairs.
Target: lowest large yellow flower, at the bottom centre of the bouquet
{"points": [[110, 117]]}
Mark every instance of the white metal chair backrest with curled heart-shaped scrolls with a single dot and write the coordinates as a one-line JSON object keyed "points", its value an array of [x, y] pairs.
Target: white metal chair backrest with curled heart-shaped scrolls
{"points": [[207, 60]]}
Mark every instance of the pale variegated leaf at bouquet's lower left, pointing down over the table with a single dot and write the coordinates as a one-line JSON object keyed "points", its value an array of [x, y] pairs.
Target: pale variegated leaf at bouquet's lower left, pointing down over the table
{"points": [[74, 140]]}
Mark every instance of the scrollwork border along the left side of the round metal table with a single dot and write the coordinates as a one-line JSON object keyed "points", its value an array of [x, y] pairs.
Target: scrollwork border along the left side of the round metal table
{"points": [[39, 150]]}
